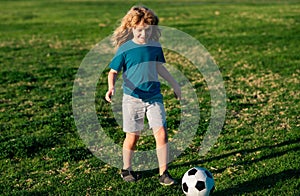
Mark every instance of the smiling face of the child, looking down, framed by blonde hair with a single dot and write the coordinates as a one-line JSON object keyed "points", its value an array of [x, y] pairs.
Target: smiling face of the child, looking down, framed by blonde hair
{"points": [[141, 33]]}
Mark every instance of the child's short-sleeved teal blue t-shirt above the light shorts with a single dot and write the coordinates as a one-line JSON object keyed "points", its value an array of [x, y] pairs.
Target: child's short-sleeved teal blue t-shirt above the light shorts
{"points": [[138, 62]]}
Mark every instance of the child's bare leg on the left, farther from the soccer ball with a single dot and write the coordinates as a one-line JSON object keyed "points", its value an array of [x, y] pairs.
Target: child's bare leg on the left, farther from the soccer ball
{"points": [[129, 145]]}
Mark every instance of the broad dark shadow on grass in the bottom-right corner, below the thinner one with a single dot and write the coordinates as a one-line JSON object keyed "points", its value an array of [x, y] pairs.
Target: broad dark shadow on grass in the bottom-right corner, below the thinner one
{"points": [[261, 183]]}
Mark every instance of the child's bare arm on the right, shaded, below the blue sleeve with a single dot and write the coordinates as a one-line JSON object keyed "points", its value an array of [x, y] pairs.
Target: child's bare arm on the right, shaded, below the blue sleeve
{"points": [[164, 73]]}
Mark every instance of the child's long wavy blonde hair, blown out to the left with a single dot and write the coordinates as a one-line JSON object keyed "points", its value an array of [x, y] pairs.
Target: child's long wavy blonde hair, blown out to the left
{"points": [[135, 16]]}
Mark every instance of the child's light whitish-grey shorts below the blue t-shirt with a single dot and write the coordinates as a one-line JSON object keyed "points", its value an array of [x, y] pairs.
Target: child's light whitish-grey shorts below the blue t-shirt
{"points": [[134, 110]]}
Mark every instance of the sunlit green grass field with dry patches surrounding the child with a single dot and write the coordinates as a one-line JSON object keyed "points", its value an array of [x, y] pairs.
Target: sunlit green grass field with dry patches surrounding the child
{"points": [[255, 44]]}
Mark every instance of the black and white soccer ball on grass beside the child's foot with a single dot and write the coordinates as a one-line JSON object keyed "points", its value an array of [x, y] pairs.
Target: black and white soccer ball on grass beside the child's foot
{"points": [[198, 181]]}
